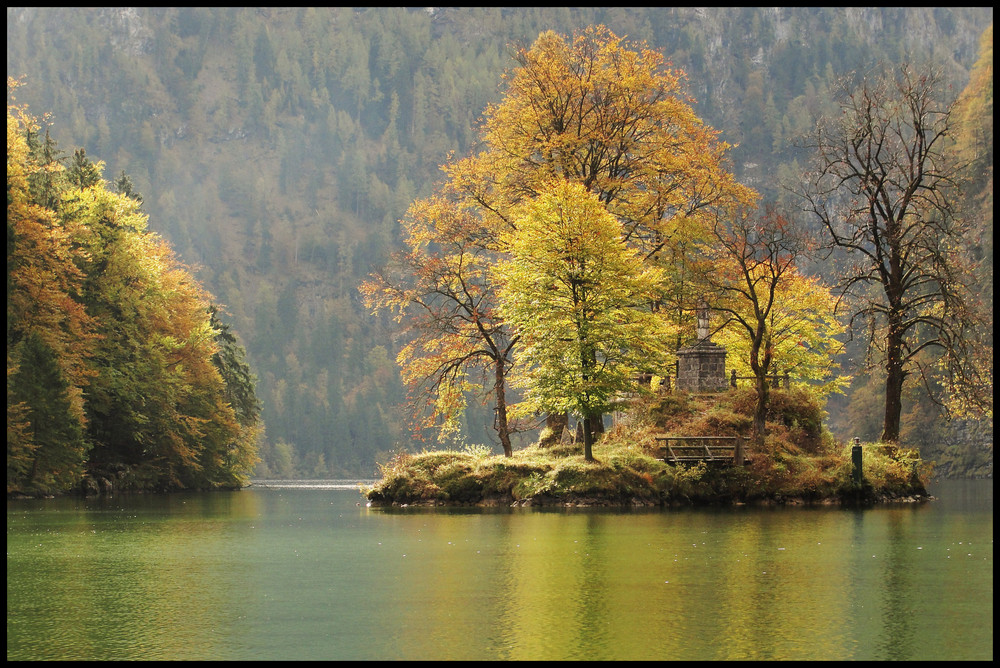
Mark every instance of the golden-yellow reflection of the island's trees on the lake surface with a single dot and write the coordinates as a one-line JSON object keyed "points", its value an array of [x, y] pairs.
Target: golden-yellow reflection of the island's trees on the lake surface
{"points": [[560, 586]]}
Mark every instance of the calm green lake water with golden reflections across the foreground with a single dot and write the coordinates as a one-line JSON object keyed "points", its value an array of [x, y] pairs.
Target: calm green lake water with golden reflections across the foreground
{"points": [[308, 572]]}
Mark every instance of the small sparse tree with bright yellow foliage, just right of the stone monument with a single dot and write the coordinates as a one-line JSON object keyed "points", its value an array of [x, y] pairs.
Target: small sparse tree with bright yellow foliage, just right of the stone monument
{"points": [[777, 312]]}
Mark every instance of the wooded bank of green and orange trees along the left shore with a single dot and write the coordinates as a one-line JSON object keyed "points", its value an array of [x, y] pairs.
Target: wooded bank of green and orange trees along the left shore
{"points": [[117, 365]]}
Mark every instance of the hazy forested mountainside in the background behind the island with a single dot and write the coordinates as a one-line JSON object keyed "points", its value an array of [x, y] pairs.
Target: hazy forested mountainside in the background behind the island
{"points": [[277, 150]]}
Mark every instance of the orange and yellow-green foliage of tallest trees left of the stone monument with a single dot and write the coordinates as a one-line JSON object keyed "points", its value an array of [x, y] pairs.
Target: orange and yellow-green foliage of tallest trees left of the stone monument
{"points": [[593, 163]]}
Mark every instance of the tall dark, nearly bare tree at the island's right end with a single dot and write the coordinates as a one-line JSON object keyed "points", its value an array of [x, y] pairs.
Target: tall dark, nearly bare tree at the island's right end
{"points": [[884, 189]]}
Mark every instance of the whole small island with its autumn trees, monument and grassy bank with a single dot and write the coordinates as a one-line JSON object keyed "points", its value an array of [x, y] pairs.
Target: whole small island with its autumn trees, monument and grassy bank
{"points": [[561, 268]]}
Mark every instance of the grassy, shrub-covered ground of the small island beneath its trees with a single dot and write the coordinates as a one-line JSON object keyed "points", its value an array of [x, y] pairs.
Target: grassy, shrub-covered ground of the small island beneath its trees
{"points": [[801, 463]]}
